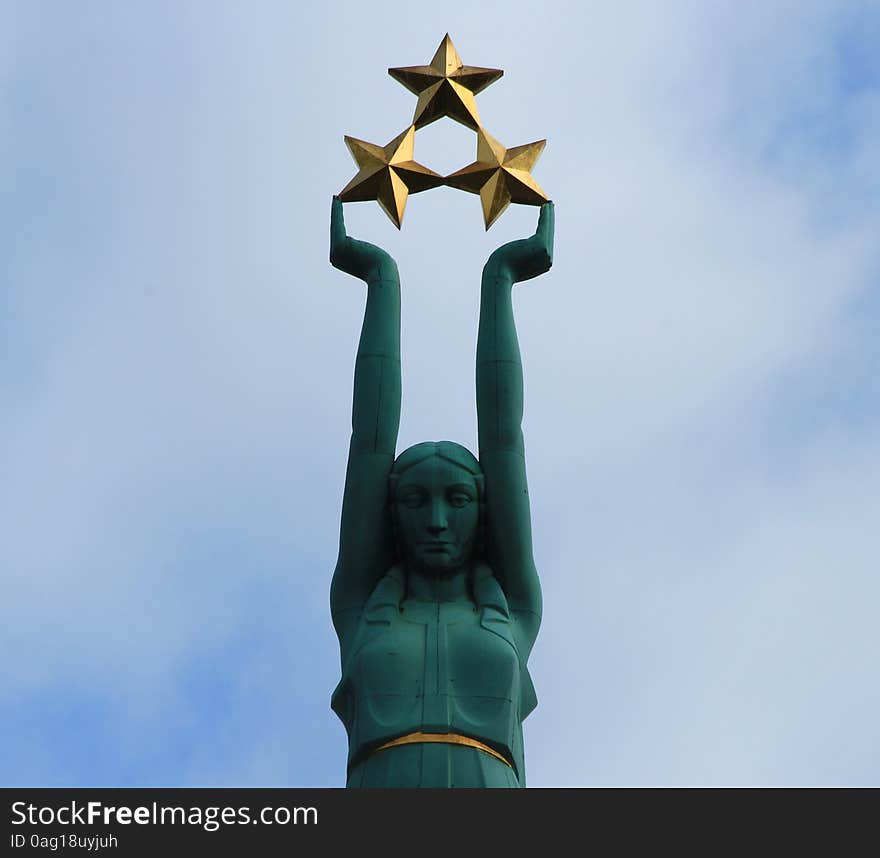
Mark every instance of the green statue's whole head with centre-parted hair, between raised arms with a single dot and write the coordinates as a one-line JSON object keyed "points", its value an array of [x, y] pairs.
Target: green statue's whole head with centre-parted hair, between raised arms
{"points": [[436, 494]]}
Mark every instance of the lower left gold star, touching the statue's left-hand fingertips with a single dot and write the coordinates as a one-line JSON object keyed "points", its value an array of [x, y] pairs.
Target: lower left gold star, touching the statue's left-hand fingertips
{"points": [[388, 174]]}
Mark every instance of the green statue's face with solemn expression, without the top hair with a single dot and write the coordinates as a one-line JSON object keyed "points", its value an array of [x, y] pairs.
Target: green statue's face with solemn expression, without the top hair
{"points": [[436, 511]]}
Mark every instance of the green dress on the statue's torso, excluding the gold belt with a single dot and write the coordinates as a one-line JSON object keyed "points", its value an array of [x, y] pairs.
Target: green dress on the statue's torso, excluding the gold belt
{"points": [[435, 667]]}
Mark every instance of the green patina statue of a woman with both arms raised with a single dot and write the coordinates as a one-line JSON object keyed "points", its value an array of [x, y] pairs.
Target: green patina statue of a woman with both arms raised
{"points": [[435, 596]]}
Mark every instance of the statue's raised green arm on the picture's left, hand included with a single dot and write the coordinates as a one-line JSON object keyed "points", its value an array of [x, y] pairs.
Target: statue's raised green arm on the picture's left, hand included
{"points": [[365, 542]]}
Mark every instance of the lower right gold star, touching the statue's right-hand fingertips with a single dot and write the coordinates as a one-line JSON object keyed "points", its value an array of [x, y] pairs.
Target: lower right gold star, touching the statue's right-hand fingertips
{"points": [[500, 176]]}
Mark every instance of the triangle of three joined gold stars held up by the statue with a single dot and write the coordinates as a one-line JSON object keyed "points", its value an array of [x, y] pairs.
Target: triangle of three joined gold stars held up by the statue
{"points": [[446, 87]]}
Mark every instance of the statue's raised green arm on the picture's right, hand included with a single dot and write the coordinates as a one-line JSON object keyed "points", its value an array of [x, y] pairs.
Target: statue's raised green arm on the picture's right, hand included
{"points": [[499, 418]]}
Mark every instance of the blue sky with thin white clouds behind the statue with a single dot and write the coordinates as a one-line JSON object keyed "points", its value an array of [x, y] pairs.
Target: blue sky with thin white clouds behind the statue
{"points": [[702, 404]]}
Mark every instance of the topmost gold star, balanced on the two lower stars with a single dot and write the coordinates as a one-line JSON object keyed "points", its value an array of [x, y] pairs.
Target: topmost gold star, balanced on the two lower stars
{"points": [[446, 87]]}
